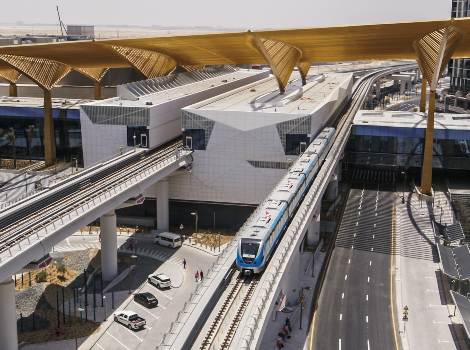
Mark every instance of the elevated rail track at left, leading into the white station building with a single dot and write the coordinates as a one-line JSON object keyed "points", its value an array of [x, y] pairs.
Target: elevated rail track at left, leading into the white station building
{"points": [[22, 224]]}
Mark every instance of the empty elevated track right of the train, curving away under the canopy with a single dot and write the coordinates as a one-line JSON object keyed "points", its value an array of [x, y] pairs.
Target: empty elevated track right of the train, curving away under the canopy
{"points": [[254, 326]]}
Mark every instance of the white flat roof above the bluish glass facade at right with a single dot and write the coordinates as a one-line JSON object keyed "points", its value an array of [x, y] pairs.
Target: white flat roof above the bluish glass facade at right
{"points": [[418, 120]]}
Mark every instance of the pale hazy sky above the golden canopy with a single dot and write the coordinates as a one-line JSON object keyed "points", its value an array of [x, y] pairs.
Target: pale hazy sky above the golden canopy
{"points": [[234, 14]]}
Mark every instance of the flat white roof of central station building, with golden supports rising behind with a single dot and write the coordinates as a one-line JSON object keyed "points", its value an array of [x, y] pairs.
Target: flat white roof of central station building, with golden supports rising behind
{"points": [[263, 95]]}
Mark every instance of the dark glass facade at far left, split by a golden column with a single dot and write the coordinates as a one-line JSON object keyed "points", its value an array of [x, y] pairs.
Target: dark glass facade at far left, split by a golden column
{"points": [[22, 131]]}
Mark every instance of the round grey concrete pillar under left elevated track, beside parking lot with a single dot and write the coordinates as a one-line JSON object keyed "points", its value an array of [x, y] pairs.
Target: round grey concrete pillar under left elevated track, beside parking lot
{"points": [[108, 246]]}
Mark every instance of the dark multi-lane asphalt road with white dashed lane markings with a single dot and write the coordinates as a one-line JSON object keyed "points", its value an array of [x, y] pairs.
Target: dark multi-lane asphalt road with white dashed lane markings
{"points": [[355, 303]]}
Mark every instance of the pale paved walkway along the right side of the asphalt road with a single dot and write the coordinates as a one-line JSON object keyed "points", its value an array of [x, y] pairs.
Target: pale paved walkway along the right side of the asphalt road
{"points": [[430, 324]]}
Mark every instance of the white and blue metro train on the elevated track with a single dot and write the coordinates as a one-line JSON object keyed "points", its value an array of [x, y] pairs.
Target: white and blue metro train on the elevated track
{"points": [[261, 234]]}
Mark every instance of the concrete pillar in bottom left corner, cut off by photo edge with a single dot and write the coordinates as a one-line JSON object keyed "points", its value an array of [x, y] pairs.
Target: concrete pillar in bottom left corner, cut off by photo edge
{"points": [[8, 333]]}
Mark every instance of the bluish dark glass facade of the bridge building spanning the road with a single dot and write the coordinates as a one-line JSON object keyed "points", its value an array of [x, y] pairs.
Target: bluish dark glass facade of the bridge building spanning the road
{"points": [[403, 147]]}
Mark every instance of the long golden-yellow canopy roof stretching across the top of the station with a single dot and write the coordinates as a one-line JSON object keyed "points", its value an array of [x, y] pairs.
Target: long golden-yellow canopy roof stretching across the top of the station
{"points": [[342, 43]]}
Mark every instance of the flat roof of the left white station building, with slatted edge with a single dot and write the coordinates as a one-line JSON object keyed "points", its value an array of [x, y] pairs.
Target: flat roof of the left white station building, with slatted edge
{"points": [[167, 91]]}
